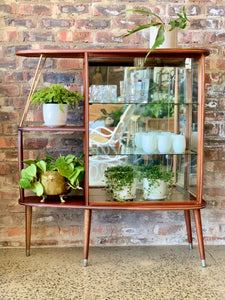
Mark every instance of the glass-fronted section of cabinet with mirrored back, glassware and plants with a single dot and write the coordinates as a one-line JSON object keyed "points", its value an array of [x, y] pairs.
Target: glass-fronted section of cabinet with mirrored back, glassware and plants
{"points": [[143, 121]]}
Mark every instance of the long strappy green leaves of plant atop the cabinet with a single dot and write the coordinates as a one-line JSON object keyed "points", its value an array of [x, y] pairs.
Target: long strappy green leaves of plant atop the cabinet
{"points": [[179, 22]]}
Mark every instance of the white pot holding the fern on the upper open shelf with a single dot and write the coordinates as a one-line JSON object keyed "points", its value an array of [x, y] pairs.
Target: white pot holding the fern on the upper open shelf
{"points": [[53, 116]]}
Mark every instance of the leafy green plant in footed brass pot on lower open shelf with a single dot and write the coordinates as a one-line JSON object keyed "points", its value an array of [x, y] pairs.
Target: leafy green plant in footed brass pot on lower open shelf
{"points": [[52, 176]]}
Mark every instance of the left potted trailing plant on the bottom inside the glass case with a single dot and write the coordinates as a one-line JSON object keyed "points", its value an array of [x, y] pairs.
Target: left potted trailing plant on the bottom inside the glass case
{"points": [[121, 183]]}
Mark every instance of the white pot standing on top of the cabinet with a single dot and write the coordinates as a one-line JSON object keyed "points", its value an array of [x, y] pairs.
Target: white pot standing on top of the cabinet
{"points": [[170, 37]]}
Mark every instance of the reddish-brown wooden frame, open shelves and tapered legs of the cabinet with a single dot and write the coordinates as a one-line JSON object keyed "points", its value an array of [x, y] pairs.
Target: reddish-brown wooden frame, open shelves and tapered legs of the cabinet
{"points": [[115, 56]]}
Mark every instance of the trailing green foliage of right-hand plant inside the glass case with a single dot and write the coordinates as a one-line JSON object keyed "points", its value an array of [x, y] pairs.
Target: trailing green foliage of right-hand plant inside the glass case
{"points": [[154, 173]]}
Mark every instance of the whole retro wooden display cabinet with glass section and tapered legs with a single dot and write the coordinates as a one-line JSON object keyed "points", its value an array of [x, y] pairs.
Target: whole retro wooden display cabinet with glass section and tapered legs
{"points": [[137, 113]]}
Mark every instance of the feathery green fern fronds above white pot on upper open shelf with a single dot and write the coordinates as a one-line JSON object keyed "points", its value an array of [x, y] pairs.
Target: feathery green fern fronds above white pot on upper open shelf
{"points": [[57, 94]]}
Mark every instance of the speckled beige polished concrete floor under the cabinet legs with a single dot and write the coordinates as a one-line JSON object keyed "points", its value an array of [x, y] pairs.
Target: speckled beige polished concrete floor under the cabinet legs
{"points": [[113, 273]]}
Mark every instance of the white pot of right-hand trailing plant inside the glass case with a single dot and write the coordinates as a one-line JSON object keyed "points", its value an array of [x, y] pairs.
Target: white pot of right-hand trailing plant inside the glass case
{"points": [[157, 192]]}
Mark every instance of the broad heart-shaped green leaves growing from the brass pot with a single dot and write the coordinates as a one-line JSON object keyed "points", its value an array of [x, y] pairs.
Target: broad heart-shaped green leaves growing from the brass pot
{"points": [[70, 167]]}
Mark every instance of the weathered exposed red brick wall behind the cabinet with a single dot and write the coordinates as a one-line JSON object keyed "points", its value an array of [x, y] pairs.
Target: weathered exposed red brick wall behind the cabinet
{"points": [[96, 24]]}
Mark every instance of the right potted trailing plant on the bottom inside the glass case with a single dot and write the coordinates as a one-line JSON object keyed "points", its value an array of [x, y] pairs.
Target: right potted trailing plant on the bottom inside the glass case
{"points": [[157, 183]]}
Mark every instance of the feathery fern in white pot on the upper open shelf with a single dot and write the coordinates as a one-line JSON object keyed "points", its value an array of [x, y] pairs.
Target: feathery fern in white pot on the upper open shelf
{"points": [[56, 99]]}
